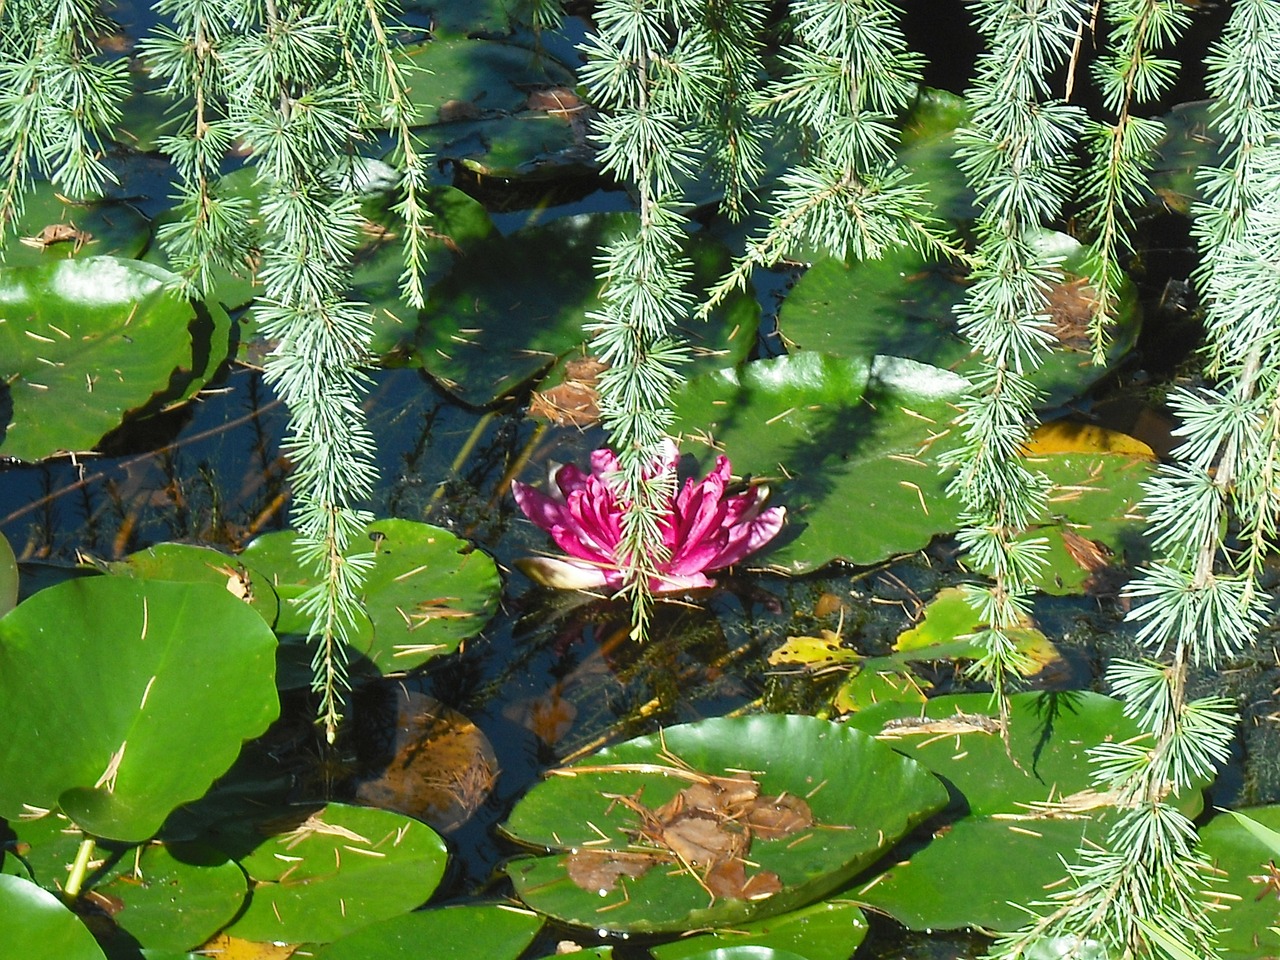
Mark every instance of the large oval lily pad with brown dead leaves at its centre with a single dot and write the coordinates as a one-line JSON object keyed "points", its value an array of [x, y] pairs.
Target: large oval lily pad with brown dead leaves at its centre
{"points": [[852, 797]]}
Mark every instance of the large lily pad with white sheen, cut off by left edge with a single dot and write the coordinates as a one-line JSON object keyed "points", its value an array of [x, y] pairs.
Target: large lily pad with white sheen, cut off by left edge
{"points": [[84, 342]]}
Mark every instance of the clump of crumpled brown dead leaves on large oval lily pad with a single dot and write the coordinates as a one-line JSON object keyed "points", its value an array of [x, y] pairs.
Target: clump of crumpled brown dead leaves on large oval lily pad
{"points": [[707, 831]]}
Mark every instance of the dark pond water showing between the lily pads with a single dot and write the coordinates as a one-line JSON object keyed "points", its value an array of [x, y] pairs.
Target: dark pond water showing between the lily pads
{"points": [[555, 676]]}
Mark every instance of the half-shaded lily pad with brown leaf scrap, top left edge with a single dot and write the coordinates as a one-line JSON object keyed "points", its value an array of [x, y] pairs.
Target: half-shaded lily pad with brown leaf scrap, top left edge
{"points": [[56, 228]]}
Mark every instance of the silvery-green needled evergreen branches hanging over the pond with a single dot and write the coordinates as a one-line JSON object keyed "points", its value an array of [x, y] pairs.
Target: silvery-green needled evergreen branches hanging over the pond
{"points": [[682, 86]]}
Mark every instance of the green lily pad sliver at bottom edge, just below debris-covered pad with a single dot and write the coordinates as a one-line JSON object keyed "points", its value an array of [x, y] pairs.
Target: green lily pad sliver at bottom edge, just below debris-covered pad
{"points": [[826, 931]]}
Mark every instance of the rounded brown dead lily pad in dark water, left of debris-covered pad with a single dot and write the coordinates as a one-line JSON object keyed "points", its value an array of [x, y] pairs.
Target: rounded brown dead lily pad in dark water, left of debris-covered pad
{"points": [[441, 767]]}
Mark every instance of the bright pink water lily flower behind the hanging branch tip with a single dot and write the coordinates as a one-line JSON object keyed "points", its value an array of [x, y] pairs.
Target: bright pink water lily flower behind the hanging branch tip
{"points": [[703, 532]]}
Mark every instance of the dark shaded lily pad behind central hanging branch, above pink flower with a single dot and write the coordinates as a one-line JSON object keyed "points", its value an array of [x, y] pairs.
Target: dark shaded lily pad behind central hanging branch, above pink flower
{"points": [[484, 341]]}
